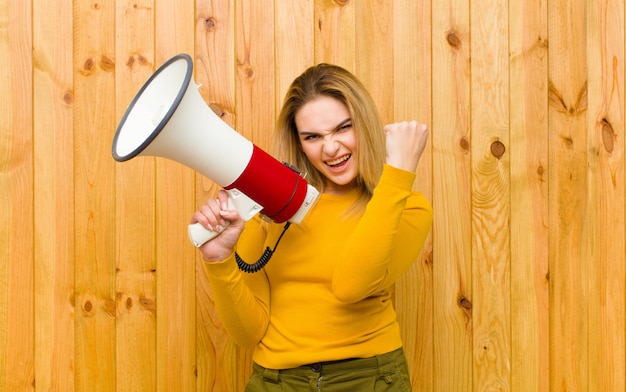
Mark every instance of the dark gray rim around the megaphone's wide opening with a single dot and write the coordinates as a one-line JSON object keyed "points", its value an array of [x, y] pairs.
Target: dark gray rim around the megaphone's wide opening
{"points": [[168, 114]]}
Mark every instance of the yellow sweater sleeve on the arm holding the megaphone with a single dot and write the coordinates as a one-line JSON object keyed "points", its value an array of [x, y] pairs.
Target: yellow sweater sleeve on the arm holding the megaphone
{"points": [[241, 299]]}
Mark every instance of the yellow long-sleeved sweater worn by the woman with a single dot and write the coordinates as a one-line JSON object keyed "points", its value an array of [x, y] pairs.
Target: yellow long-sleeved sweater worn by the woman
{"points": [[324, 295]]}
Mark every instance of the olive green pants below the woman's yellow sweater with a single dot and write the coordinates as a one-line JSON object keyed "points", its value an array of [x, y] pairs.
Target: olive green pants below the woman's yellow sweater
{"points": [[387, 372]]}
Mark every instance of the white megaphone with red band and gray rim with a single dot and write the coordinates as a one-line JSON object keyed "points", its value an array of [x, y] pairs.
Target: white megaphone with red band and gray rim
{"points": [[168, 118]]}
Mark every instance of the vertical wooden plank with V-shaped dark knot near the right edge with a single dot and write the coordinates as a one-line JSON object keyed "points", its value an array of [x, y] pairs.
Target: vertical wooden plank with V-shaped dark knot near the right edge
{"points": [[567, 194]]}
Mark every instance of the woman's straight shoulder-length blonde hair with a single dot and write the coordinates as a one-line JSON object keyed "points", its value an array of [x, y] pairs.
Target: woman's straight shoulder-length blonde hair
{"points": [[336, 82]]}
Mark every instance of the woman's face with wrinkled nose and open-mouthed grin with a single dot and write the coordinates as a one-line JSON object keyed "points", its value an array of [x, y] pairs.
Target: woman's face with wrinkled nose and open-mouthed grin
{"points": [[329, 142]]}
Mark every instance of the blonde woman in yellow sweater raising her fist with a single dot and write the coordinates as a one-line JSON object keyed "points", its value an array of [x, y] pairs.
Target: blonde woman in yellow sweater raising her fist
{"points": [[319, 315]]}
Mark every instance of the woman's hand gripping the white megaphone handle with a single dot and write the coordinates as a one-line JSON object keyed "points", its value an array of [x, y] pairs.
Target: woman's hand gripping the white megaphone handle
{"points": [[214, 215]]}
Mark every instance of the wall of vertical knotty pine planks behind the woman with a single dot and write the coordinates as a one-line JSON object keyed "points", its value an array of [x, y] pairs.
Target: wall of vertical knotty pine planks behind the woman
{"points": [[521, 285]]}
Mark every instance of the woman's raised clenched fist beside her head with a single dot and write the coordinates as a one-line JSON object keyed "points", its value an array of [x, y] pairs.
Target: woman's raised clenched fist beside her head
{"points": [[405, 143]]}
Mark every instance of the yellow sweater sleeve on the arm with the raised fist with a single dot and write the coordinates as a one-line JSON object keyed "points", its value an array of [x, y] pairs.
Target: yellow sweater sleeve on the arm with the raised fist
{"points": [[387, 239]]}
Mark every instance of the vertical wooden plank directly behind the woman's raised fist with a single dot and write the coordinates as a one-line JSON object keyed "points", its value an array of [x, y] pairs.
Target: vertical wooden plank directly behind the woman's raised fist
{"points": [[412, 101]]}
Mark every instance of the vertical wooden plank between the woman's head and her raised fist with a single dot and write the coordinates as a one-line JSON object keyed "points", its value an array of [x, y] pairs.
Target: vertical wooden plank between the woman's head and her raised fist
{"points": [[374, 52]]}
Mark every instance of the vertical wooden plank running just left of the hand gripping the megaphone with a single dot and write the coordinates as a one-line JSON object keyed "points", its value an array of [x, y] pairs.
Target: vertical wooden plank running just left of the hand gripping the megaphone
{"points": [[175, 202]]}
